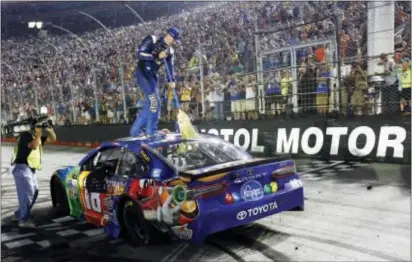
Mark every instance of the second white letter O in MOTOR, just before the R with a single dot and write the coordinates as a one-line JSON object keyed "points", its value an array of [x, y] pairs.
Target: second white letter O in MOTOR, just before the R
{"points": [[370, 139]]}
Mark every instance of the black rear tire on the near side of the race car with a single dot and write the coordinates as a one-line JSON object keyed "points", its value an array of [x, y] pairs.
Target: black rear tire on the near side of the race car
{"points": [[137, 229]]}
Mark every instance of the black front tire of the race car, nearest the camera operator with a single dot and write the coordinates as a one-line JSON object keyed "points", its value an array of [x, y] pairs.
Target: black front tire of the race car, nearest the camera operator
{"points": [[59, 198]]}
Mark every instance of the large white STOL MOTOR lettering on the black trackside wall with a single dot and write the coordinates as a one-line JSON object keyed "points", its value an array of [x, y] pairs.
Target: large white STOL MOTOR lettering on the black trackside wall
{"points": [[311, 140]]}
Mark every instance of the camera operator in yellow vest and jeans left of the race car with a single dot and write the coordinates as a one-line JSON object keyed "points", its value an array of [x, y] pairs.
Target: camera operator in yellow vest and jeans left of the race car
{"points": [[26, 160]]}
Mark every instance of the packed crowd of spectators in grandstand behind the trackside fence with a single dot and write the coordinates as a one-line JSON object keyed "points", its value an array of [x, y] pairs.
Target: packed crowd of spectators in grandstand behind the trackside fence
{"points": [[70, 78]]}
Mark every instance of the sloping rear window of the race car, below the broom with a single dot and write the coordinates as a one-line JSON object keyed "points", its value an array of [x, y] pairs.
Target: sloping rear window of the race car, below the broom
{"points": [[194, 154]]}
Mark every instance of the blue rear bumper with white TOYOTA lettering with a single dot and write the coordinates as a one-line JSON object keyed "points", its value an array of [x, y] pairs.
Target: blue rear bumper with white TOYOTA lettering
{"points": [[229, 216]]}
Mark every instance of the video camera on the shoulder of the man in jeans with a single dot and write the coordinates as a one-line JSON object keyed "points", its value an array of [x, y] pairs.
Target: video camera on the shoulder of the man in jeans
{"points": [[14, 128]]}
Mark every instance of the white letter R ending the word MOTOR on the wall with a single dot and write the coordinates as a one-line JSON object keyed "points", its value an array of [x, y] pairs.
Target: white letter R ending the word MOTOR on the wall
{"points": [[396, 143]]}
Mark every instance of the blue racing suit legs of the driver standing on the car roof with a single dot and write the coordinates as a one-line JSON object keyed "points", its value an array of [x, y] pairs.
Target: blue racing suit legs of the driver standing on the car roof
{"points": [[149, 116]]}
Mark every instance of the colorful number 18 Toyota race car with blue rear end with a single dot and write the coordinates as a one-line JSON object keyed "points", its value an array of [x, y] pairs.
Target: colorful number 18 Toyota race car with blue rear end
{"points": [[184, 188]]}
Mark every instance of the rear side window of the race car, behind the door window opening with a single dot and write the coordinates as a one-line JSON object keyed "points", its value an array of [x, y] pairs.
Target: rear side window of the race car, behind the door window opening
{"points": [[132, 165]]}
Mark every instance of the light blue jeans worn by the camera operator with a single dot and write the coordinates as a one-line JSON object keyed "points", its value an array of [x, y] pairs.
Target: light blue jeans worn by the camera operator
{"points": [[27, 190]]}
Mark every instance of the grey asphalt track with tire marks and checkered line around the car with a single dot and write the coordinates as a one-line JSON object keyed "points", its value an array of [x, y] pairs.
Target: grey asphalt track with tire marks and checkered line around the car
{"points": [[354, 211]]}
